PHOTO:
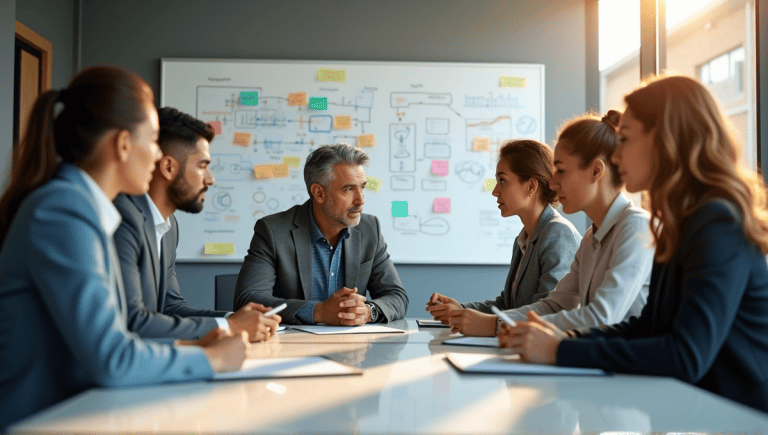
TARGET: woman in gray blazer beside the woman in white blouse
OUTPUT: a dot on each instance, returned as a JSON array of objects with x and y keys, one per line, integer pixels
[{"x": 543, "y": 250}]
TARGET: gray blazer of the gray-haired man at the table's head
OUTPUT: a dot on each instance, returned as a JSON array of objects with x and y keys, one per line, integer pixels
[{"x": 278, "y": 266}]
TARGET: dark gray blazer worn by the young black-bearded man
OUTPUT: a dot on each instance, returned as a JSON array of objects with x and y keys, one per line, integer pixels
[{"x": 156, "y": 308}]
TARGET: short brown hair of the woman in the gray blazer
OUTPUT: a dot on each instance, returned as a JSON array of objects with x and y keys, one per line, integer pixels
[{"x": 531, "y": 159}]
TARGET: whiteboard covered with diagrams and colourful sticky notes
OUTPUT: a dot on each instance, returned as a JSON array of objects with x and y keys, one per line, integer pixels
[{"x": 432, "y": 131}]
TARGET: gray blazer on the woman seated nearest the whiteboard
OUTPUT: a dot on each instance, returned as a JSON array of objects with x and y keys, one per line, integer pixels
[{"x": 552, "y": 247}]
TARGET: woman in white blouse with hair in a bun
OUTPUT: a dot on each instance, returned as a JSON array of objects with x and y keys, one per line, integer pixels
[{"x": 608, "y": 280}]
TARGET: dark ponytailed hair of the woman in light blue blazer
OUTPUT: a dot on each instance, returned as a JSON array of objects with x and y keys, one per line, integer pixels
[{"x": 98, "y": 99}]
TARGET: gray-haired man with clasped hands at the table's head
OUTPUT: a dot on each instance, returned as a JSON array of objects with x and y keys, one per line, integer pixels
[{"x": 323, "y": 257}]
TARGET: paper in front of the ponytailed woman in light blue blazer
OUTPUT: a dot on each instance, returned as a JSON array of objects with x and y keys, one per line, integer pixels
[{"x": 297, "y": 367}]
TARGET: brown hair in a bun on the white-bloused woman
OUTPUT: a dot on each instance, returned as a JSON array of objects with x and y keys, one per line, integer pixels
[{"x": 589, "y": 137}]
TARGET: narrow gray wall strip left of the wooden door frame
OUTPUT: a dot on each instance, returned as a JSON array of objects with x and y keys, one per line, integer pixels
[{"x": 7, "y": 37}]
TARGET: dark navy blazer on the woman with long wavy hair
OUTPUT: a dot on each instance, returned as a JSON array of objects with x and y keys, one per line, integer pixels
[{"x": 706, "y": 320}]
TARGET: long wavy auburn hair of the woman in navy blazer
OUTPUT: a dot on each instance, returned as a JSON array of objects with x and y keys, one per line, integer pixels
[{"x": 695, "y": 158}]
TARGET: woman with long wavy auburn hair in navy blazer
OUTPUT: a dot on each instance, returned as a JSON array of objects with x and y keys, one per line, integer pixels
[{"x": 705, "y": 321}]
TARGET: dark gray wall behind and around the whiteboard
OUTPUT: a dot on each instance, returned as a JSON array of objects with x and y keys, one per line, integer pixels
[{"x": 136, "y": 34}]
